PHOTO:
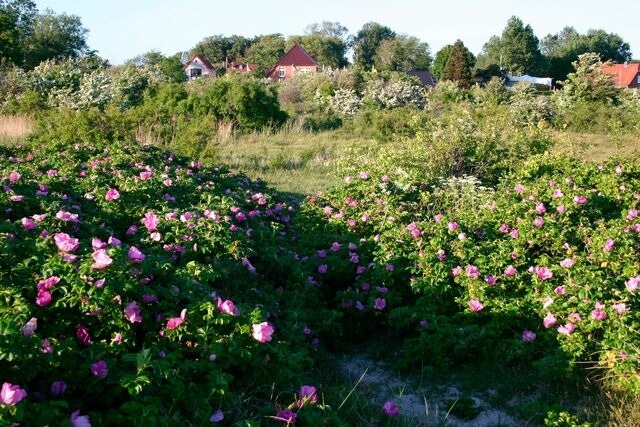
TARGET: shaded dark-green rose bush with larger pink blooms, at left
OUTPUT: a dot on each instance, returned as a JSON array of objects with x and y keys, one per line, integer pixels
[{"x": 141, "y": 288}]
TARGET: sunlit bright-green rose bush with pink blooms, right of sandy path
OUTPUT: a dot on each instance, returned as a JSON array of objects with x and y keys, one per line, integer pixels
[{"x": 540, "y": 269}]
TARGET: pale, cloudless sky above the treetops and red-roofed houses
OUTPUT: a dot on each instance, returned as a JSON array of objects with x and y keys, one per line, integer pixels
[{"x": 121, "y": 29}]
